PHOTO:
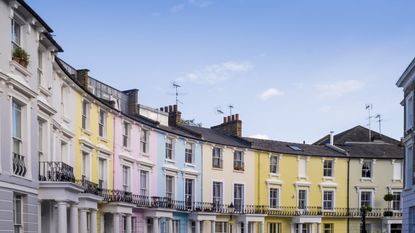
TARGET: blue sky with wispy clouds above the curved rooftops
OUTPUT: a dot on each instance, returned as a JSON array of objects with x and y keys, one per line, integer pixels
[{"x": 294, "y": 70}]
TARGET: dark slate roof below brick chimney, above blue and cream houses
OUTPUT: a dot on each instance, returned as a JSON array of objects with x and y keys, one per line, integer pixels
[{"x": 216, "y": 137}]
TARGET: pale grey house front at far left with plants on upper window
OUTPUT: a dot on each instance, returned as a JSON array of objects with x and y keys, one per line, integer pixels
[{"x": 21, "y": 29}]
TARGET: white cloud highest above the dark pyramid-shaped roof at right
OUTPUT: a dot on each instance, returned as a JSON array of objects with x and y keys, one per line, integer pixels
[{"x": 339, "y": 88}]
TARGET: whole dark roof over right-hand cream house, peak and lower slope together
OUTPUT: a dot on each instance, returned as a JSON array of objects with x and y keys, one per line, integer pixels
[{"x": 355, "y": 142}]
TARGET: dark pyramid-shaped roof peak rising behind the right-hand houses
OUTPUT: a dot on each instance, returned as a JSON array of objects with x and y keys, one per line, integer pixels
[{"x": 356, "y": 134}]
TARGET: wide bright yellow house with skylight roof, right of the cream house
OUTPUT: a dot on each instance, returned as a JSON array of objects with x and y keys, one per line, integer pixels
[{"x": 303, "y": 187}]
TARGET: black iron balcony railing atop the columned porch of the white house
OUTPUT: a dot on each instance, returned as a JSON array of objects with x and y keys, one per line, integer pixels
[{"x": 56, "y": 171}]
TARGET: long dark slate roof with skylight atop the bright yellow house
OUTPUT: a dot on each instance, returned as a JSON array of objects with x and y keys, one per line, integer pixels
[{"x": 291, "y": 148}]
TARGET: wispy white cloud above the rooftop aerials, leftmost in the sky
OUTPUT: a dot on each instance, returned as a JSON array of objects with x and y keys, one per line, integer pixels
[{"x": 216, "y": 73}]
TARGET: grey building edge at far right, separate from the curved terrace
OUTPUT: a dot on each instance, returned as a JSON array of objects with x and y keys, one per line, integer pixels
[{"x": 407, "y": 82}]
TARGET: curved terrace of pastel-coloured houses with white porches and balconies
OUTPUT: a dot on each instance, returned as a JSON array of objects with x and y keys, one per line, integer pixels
[{"x": 78, "y": 155}]
